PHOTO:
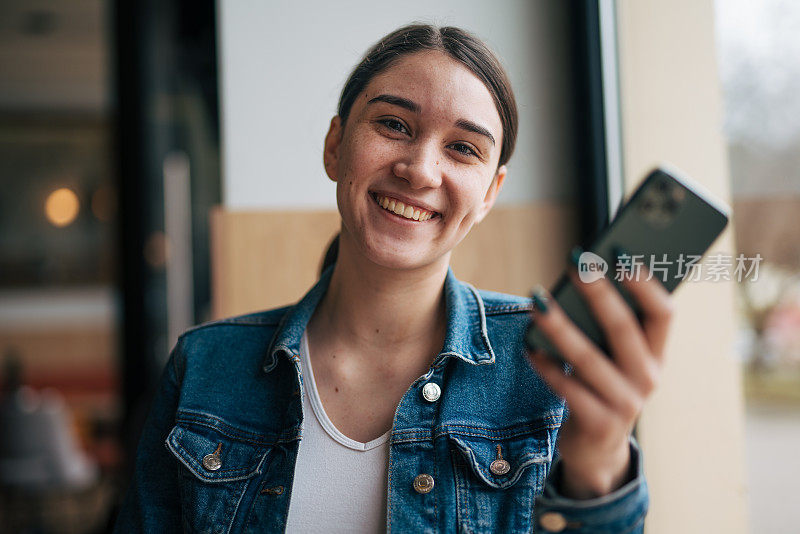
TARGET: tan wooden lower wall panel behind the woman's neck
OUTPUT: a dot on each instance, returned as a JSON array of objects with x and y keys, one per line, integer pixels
[{"x": 265, "y": 259}]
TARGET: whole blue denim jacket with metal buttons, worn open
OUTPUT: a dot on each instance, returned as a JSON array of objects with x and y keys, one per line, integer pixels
[{"x": 218, "y": 450}]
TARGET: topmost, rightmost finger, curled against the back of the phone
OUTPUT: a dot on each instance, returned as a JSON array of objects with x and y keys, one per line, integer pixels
[{"x": 656, "y": 304}]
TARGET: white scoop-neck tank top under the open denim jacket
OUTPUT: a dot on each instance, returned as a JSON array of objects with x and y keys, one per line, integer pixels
[{"x": 339, "y": 484}]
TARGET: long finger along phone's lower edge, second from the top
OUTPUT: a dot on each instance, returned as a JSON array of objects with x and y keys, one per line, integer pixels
[{"x": 625, "y": 336}]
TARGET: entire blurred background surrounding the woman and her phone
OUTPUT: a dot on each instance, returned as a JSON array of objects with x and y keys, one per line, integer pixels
[{"x": 153, "y": 154}]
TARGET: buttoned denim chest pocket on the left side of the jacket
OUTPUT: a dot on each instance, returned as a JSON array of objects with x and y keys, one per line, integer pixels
[{"x": 216, "y": 469}]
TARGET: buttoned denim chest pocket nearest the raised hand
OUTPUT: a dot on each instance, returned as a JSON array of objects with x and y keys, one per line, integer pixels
[{"x": 498, "y": 476}]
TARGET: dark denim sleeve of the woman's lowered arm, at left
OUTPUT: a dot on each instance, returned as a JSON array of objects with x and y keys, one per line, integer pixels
[{"x": 152, "y": 503}]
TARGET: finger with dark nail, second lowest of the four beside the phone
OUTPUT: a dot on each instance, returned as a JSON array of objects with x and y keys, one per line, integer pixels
[{"x": 589, "y": 363}]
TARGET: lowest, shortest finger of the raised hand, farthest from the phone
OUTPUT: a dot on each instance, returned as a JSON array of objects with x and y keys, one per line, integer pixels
[{"x": 584, "y": 406}]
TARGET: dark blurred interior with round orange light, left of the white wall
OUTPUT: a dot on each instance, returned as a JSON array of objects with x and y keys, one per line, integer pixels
[{"x": 109, "y": 144}]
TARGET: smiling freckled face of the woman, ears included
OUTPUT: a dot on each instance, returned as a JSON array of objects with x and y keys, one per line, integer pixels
[{"x": 424, "y": 139}]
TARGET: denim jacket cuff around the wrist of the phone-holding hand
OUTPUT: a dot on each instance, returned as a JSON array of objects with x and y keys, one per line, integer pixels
[{"x": 621, "y": 511}]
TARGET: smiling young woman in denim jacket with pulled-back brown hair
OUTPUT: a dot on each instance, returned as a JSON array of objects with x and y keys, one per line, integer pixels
[{"x": 393, "y": 396}]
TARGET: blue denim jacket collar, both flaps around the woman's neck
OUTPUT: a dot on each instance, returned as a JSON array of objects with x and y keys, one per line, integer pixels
[{"x": 466, "y": 339}]
